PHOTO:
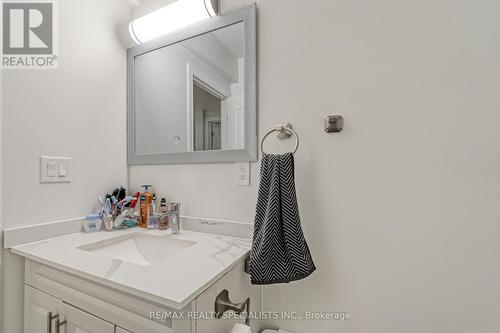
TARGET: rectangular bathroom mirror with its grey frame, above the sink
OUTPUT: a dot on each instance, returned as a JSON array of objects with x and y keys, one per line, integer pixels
[{"x": 192, "y": 93}]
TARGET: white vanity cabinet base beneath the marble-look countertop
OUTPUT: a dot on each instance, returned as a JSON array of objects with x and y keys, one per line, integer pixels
[{"x": 85, "y": 306}]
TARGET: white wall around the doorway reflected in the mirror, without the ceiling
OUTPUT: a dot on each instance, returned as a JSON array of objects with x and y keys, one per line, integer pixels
[{"x": 161, "y": 79}]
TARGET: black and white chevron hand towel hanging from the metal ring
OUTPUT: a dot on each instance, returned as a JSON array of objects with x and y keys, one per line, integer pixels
[{"x": 279, "y": 250}]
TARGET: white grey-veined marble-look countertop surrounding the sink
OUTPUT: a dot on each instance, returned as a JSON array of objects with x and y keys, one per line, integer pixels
[{"x": 173, "y": 281}]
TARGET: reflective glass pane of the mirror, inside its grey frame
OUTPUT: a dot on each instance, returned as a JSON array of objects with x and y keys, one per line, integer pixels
[{"x": 189, "y": 96}]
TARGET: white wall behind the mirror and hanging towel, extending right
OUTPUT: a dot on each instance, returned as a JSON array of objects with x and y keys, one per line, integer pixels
[{"x": 401, "y": 208}]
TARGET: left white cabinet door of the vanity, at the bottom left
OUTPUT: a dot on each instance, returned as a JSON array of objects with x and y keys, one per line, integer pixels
[{"x": 37, "y": 308}]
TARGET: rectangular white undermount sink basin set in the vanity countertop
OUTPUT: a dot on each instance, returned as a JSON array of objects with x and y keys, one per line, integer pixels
[{"x": 138, "y": 248}]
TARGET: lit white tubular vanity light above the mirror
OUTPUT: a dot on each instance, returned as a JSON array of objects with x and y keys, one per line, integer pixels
[{"x": 177, "y": 15}]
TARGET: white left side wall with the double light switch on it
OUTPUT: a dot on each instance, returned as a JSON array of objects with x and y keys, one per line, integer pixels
[{"x": 78, "y": 111}]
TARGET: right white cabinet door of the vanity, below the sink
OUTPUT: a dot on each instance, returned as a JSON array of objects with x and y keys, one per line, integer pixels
[{"x": 78, "y": 321}]
